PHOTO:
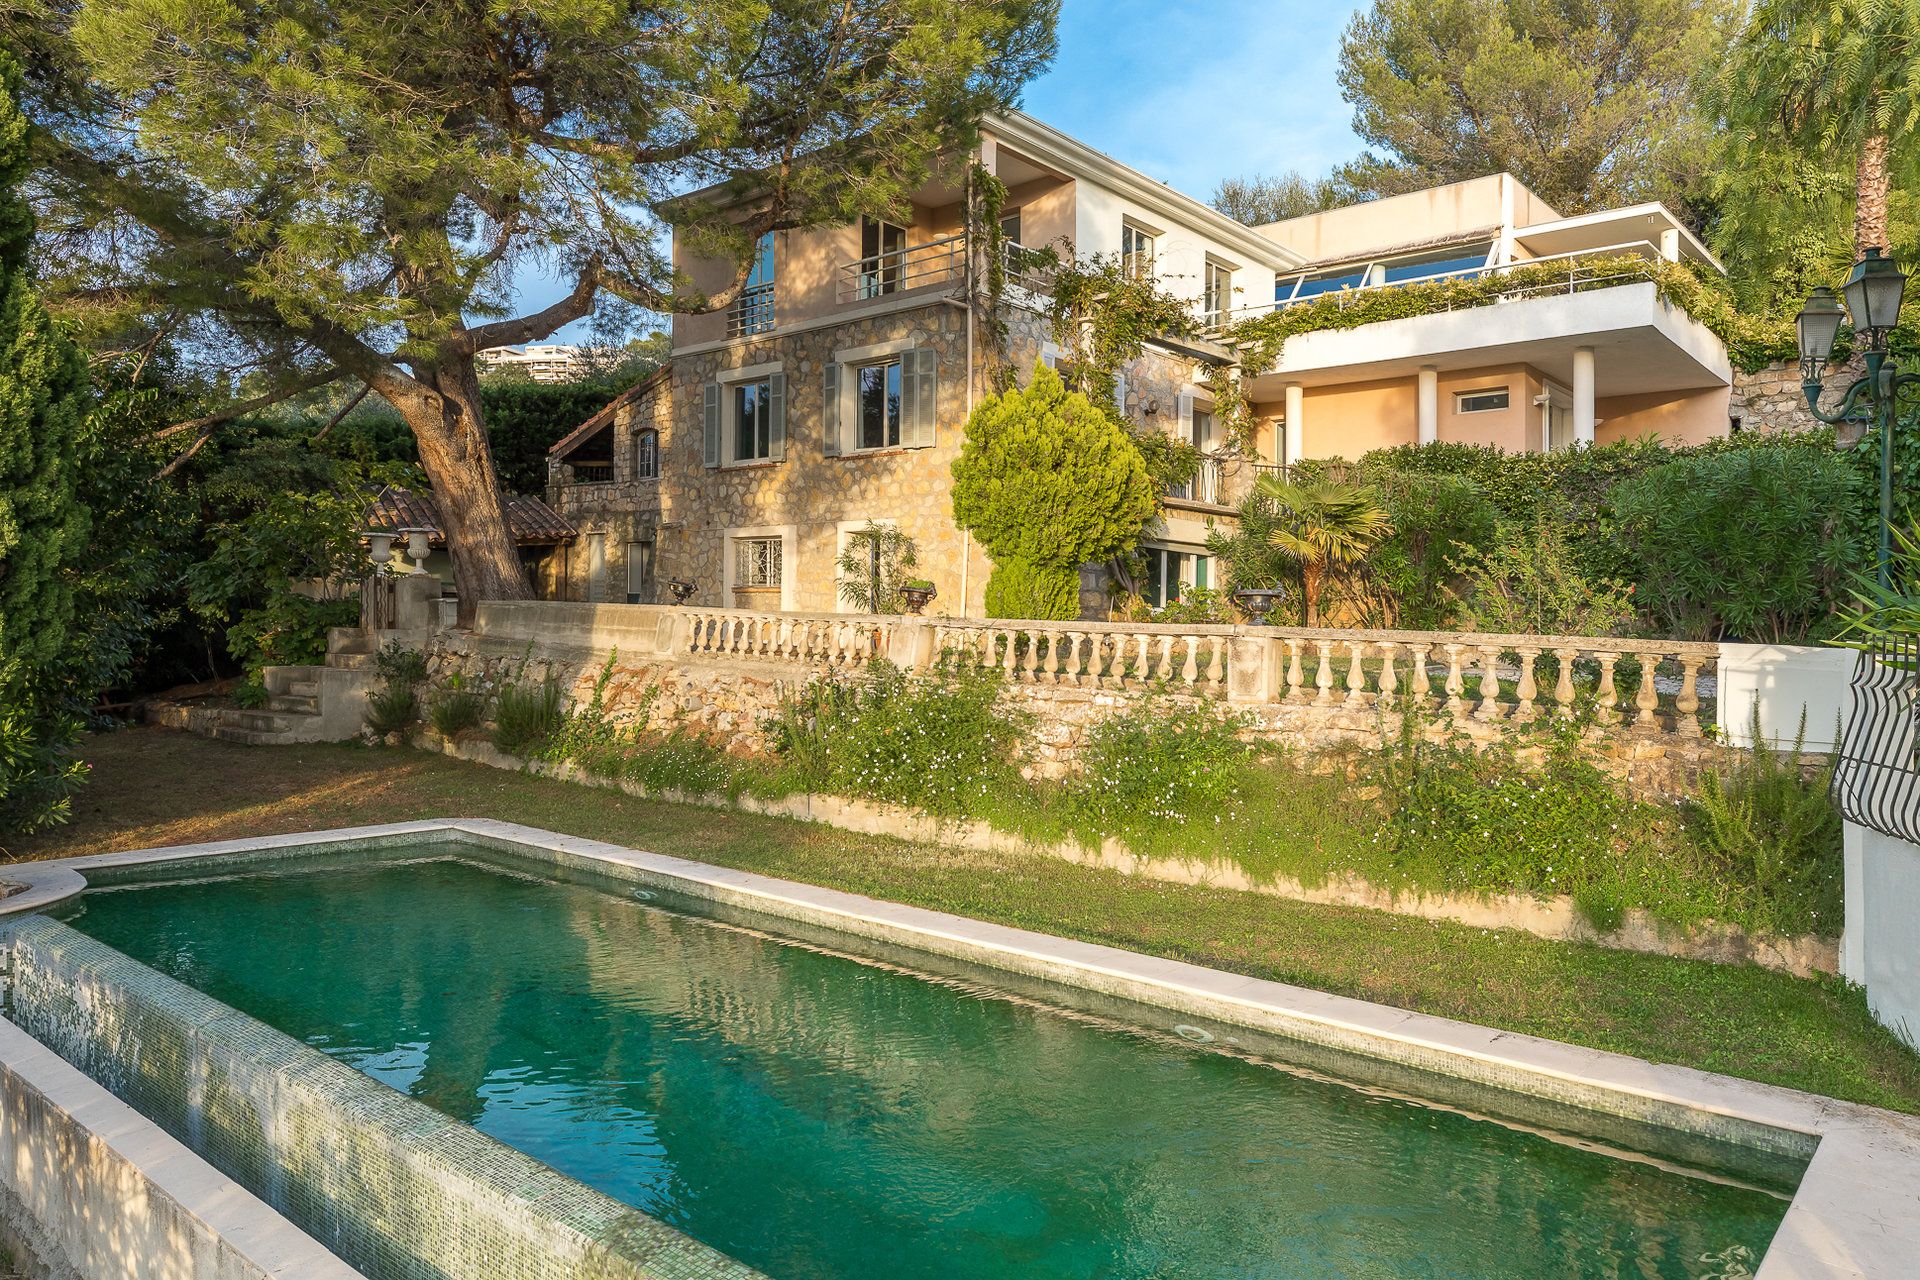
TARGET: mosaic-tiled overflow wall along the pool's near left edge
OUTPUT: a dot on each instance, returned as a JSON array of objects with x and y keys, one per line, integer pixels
[{"x": 389, "y": 1185}]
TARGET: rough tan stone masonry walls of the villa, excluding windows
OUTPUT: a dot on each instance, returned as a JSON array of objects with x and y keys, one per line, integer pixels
[{"x": 690, "y": 515}]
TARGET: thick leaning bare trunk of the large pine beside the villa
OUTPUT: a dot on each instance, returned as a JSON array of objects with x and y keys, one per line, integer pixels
[{"x": 473, "y": 511}]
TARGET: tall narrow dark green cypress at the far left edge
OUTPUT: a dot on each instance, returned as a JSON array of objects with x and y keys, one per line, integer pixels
[{"x": 43, "y": 525}]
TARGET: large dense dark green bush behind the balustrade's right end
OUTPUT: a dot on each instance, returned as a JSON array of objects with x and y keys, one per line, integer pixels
[{"x": 1752, "y": 544}]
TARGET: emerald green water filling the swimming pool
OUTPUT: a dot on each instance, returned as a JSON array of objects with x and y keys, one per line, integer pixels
[{"x": 828, "y": 1118}]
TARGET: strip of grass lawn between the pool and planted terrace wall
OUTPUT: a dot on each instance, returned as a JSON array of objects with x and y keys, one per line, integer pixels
[{"x": 162, "y": 788}]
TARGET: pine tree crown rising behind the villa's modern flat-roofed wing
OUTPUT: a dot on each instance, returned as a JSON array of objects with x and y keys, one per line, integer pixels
[{"x": 1589, "y": 103}]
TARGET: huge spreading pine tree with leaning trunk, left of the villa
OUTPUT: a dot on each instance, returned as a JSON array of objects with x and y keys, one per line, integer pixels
[{"x": 348, "y": 189}]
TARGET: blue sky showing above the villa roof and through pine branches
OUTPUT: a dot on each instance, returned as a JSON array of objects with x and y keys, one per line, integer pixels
[{"x": 1188, "y": 91}]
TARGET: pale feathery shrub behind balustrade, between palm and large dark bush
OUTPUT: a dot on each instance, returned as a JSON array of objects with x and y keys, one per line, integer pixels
[{"x": 1527, "y": 584}]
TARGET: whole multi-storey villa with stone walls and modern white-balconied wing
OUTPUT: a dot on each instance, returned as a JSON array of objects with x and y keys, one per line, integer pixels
[{"x": 836, "y": 389}]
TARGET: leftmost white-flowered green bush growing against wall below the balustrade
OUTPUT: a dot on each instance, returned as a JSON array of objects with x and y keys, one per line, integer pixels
[{"x": 942, "y": 744}]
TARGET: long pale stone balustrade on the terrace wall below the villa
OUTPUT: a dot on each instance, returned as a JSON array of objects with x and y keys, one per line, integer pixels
[{"x": 1466, "y": 675}]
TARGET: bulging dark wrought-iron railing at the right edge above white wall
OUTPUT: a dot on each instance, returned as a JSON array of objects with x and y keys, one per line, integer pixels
[{"x": 1877, "y": 776}]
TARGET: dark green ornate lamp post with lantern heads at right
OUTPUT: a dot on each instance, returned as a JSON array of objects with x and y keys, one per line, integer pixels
[{"x": 1873, "y": 296}]
